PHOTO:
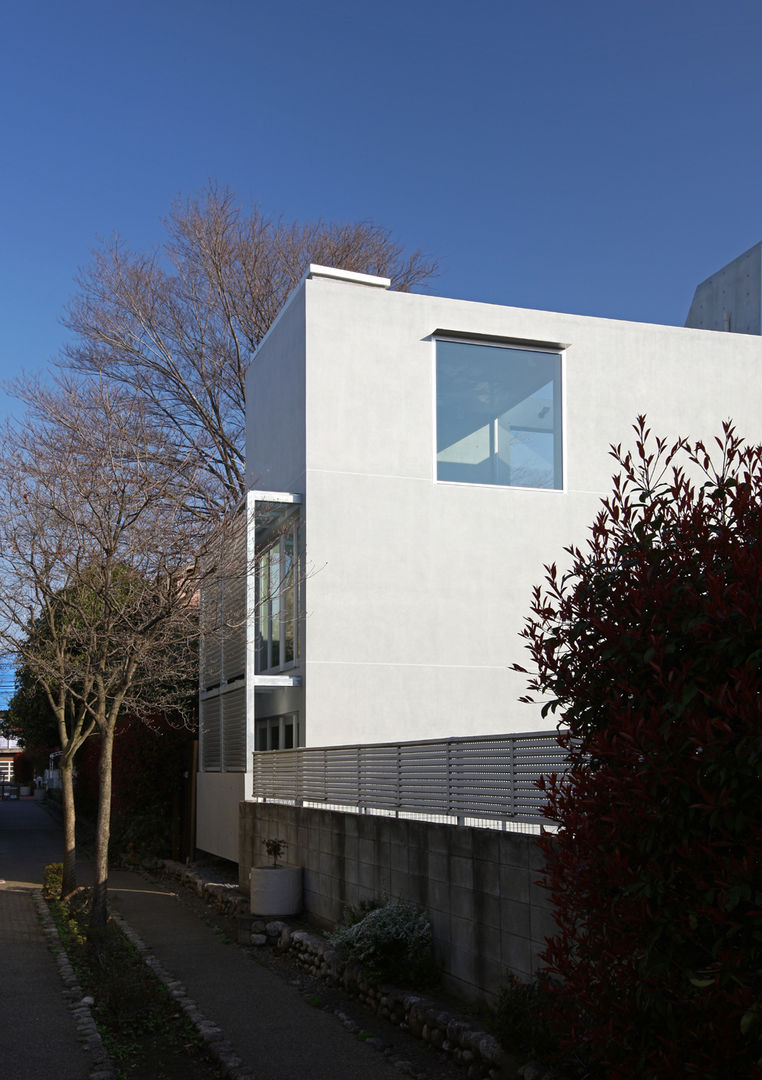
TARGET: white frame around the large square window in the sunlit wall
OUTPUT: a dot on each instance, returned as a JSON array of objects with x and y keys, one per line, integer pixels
[{"x": 521, "y": 345}]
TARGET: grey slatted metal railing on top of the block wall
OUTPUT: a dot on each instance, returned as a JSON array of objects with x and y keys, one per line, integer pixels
[{"x": 486, "y": 779}]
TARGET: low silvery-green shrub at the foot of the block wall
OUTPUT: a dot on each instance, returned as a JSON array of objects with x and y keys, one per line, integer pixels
[{"x": 393, "y": 942}]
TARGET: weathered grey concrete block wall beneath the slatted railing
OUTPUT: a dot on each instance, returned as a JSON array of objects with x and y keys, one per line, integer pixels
[{"x": 478, "y": 885}]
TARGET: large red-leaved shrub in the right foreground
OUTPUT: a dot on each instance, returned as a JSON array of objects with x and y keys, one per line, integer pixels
[{"x": 648, "y": 652}]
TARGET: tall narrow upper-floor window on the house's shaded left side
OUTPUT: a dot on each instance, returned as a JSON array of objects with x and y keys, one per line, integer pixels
[{"x": 278, "y": 603}]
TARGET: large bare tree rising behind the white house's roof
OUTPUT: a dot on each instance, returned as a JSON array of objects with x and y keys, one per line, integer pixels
[{"x": 180, "y": 326}]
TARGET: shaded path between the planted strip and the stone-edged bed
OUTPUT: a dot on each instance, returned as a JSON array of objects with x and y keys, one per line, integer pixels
[{"x": 271, "y": 1030}]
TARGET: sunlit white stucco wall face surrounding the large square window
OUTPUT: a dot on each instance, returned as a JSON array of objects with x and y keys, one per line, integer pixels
[{"x": 418, "y": 590}]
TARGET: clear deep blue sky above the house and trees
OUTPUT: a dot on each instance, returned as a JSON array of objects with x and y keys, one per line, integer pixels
[{"x": 586, "y": 156}]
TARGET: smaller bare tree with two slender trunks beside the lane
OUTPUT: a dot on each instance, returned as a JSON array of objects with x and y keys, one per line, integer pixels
[{"x": 99, "y": 579}]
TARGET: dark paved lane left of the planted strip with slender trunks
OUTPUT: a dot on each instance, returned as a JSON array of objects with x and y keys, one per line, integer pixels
[{"x": 39, "y": 1035}]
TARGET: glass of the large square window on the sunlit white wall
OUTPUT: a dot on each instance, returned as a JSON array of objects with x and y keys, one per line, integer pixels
[{"x": 498, "y": 415}]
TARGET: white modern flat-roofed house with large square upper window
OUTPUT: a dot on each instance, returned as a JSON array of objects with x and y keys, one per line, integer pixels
[{"x": 414, "y": 462}]
